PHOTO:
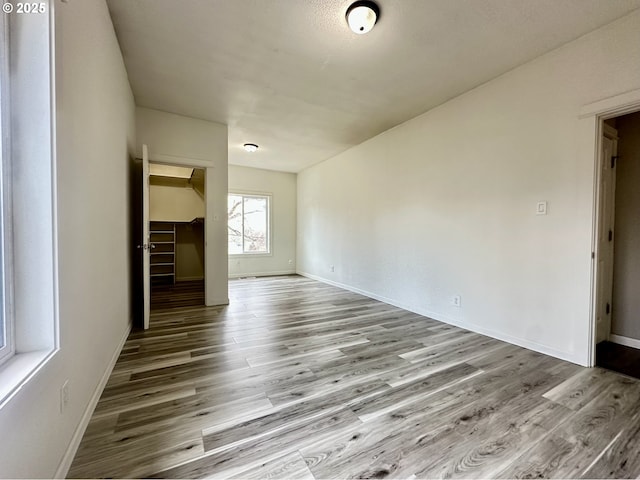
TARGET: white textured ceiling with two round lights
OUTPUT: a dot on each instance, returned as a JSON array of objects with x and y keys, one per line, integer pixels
[{"x": 290, "y": 76}]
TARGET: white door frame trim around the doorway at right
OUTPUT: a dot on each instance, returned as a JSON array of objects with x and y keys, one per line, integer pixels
[{"x": 592, "y": 117}]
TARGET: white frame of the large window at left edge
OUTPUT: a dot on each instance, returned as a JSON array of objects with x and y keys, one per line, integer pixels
[{"x": 29, "y": 195}]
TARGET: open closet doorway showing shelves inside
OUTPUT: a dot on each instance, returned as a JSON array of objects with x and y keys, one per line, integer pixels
[{"x": 176, "y": 212}]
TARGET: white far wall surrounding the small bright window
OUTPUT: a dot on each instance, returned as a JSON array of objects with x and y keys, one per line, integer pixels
[{"x": 282, "y": 188}]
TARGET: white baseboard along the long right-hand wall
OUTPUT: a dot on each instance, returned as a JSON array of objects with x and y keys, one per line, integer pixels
[{"x": 536, "y": 347}]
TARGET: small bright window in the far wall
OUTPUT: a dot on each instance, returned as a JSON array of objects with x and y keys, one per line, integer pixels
[{"x": 248, "y": 224}]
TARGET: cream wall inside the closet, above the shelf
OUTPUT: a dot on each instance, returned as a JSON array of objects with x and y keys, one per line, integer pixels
[{"x": 174, "y": 204}]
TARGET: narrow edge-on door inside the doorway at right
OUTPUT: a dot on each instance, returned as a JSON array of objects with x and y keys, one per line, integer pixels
[{"x": 606, "y": 237}]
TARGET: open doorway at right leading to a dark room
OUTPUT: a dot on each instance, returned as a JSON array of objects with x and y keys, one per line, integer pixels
[{"x": 618, "y": 247}]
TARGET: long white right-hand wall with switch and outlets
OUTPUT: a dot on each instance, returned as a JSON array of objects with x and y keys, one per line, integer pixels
[{"x": 445, "y": 204}]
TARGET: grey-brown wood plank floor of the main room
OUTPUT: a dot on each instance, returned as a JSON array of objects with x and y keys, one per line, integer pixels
[{"x": 297, "y": 379}]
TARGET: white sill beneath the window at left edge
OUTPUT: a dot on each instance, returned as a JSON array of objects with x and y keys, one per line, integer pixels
[{"x": 18, "y": 370}]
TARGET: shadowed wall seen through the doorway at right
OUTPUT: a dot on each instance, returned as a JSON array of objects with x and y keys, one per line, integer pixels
[{"x": 625, "y": 319}]
